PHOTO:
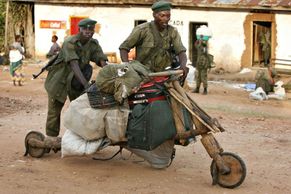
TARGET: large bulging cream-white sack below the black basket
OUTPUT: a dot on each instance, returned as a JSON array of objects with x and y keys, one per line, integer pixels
[{"x": 84, "y": 120}]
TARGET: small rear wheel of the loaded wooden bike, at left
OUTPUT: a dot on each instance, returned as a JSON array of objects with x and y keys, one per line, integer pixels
[{"x": 34, "y": 151}]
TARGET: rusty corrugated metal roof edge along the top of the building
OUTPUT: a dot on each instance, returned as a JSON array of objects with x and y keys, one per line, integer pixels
[{"x": 284, "y": 5}]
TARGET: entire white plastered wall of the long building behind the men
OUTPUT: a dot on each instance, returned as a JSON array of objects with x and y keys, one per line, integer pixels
[{"x": 227, "y": 44}]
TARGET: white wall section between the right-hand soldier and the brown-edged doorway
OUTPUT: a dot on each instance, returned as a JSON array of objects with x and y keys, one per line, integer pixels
[{"x": 227, "y": 44}]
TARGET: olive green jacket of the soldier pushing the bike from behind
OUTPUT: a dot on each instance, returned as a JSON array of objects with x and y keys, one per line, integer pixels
[{"x": 58, "y": 81}]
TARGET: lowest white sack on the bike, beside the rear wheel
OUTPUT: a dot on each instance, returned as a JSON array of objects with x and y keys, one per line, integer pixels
[{"x": 74, "y": 145}]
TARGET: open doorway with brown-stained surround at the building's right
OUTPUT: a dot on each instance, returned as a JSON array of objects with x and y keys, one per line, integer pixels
[{"x": 262, "y": 33}]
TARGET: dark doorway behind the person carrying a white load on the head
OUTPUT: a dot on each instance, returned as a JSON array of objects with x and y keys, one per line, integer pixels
[{"x": 193, "y": 26}]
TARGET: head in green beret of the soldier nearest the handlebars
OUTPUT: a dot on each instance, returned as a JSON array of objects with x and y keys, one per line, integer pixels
[{"x": 162, "y": 13}]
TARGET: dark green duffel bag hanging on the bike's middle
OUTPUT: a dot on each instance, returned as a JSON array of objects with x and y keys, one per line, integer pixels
[{"x": 150, "y": 125}]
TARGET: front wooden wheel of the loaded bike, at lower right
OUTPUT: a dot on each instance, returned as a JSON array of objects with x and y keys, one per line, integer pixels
[{"x": 237, "y": 172}]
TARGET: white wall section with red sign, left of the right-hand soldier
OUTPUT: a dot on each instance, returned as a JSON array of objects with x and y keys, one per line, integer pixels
[{"x": 116, "y": 24}]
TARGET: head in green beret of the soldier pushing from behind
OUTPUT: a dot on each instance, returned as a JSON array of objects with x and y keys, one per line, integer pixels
[{"x": 86, "y": 29}]
